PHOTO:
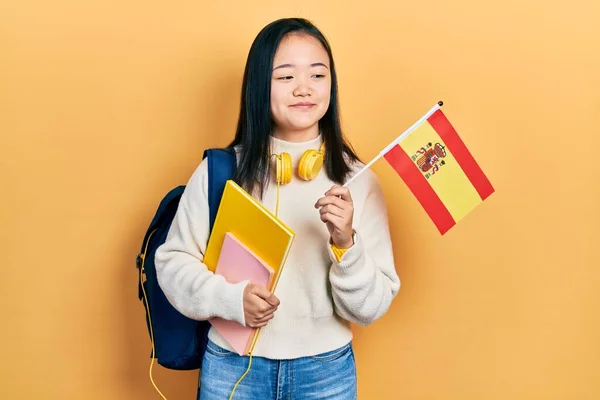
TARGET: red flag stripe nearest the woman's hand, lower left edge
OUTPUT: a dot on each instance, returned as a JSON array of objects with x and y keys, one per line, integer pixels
[{"x": 422, "y": 190}]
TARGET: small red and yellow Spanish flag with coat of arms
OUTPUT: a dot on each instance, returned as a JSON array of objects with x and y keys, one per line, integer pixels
[{"x": 438, "y": 168}]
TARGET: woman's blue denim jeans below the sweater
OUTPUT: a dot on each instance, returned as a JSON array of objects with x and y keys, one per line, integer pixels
[{"x": 330, "y": 376}]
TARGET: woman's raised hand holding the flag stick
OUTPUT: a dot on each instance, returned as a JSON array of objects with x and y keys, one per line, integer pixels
[{"x": 337, "y": 211}]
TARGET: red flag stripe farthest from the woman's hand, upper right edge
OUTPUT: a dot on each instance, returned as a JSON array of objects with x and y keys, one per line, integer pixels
[{"x": 446, "y": 131}]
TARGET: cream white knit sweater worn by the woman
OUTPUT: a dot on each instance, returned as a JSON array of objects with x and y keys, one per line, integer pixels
[{"x": 319, "y": 296}]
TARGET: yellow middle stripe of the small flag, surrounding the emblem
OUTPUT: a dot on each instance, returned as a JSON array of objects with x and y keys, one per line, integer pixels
[{"x": 450, "y": 182}]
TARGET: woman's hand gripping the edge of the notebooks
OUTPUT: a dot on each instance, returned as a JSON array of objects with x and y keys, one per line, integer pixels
[{"x": 259, "y": 305}]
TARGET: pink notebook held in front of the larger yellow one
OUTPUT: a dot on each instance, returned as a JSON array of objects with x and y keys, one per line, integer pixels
[{"x": 238, "y": 263}]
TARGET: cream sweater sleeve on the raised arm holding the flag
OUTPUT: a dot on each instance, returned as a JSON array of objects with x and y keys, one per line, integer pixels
[{"x": 364, "y": 282}]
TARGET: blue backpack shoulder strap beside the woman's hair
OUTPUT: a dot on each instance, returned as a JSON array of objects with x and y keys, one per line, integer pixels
[{"x": 222, "y": 165}]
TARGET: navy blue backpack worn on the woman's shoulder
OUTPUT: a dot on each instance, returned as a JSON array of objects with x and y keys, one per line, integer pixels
[{"x": 179, "y": 342}]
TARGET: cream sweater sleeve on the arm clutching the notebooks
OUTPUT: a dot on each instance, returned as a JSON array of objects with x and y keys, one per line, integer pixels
[{"x": 185, "y": 280}]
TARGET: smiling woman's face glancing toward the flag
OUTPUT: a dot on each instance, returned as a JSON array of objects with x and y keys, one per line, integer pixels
[{"x": 300, "y": 85}]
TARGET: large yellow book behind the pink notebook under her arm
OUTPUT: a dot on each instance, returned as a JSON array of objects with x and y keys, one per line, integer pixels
[{"x": 256, "y": 227}]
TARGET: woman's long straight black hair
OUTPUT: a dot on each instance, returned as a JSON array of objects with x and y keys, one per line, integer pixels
[{"x": 255, "y": 122}]
